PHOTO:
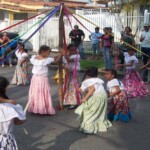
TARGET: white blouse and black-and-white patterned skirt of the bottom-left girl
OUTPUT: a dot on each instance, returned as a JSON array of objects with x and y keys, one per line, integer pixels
[{"x": 7, "y": 115}]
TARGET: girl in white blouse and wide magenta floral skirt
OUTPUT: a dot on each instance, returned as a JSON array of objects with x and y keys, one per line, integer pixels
[{"x": 134, "y": 86}]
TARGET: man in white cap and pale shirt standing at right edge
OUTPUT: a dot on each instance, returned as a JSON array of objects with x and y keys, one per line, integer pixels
[{"x": 145, "y": 43}]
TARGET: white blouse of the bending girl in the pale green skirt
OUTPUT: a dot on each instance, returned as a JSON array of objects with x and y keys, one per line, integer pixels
[{"x": 96, "y": 82}]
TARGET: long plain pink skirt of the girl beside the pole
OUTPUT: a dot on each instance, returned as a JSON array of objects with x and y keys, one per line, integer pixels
[{"x": 40, "y": 101}]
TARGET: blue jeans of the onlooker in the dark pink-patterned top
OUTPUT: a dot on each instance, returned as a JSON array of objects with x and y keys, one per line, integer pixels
[{"x": 107, "y": 57}]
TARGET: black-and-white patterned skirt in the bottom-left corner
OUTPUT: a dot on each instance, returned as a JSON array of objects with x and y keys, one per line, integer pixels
[{"x": 8, "y": 142}]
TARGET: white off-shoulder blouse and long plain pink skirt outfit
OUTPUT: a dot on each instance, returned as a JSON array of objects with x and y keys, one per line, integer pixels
[{"x": 40, "y": 101}]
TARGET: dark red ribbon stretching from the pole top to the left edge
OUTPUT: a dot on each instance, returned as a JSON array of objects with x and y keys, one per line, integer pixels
[{"x": 23, "y": 21}]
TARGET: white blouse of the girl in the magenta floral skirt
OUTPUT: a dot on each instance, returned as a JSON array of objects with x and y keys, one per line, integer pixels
[{"x": 128, "y": 60}]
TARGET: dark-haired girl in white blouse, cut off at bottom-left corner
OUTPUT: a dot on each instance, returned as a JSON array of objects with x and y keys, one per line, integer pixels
[{"x": 9, "y": 115}]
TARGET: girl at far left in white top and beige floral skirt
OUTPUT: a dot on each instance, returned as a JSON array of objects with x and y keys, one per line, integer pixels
[{"x": 21, "y": 76}]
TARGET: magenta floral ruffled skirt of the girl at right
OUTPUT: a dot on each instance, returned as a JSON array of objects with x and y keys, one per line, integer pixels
[{"x": 134, "y": 86}]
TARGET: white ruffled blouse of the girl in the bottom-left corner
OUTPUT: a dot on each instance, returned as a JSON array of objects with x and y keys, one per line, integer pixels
[{"x": 7, "y": 115}]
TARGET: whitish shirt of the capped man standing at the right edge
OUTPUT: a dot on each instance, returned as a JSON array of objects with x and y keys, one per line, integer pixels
[{"x": 146, "y": 41}]
